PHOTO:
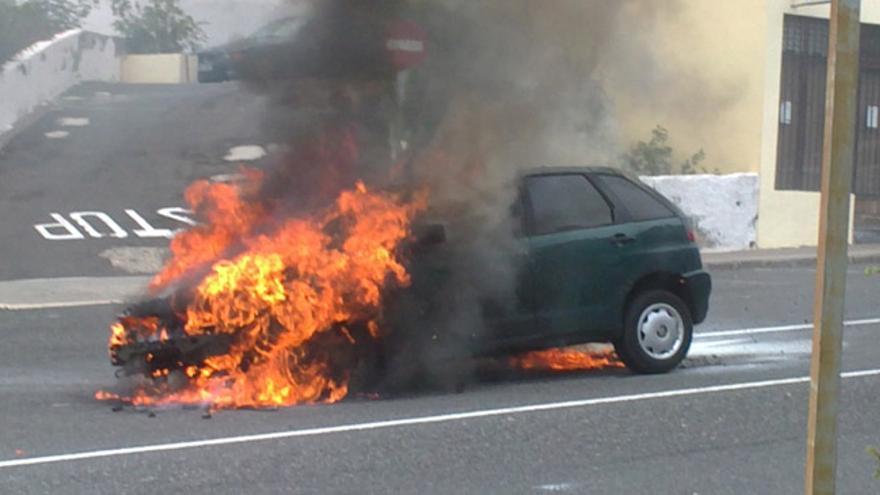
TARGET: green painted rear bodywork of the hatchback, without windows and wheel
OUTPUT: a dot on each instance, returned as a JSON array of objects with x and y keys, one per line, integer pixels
[{"x": 584, "y": 278}]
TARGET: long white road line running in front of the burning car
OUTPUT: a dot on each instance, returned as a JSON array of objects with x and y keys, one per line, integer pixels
[{"x": 420, "y": 420}]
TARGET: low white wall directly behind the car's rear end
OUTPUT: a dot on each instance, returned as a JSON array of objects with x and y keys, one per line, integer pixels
[{"x": 724, "y": 208}]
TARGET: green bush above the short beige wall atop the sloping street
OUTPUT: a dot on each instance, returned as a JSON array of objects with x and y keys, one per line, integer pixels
[{"x": 156, "y": 26}]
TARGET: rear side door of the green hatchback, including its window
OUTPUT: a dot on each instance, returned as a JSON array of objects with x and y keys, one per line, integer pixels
[{"x": 572, "y": 255}]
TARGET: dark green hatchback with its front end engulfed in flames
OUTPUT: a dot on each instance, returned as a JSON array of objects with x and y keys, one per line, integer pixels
[{"x": 256, "y": 313}]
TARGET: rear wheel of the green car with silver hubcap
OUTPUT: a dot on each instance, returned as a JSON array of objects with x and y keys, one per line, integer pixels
[{"x": 657, "y": 332}]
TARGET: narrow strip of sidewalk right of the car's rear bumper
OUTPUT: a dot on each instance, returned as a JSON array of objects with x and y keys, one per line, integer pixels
[{"x": 858, "y": 253}]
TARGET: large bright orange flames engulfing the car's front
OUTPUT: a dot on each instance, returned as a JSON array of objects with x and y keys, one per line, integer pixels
[{"x": 286, "y": 293}]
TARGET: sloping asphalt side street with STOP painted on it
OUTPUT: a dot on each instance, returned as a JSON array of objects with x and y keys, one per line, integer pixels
[{"x": 128, "y": 147}]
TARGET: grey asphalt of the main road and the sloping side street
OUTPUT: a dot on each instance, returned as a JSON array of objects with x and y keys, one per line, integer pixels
[{"x": 731, "y": 421}]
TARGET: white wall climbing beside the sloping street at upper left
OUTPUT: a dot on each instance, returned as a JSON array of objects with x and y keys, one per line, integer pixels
[{"x": 48, "y": 68}]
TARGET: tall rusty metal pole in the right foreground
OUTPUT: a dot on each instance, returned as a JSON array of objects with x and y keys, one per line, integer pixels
[{"x": 837, "y": 173}]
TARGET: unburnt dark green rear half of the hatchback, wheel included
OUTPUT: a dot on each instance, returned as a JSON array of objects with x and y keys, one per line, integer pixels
[{"x": 578, "y": 283}]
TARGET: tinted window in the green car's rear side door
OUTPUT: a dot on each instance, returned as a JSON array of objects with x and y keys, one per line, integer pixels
[{"x": 565, "y": 202}]
